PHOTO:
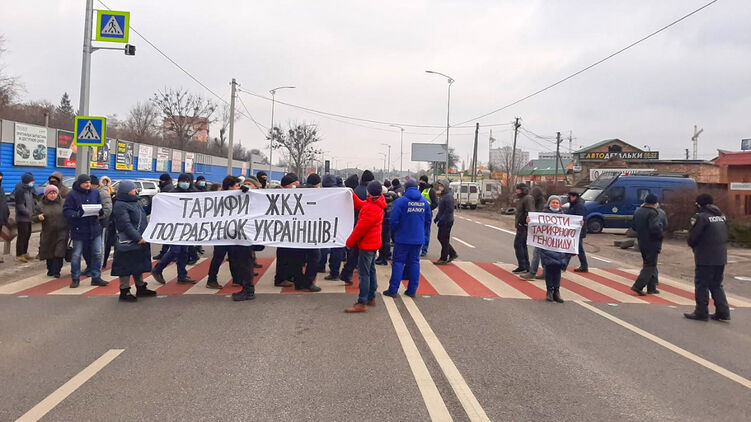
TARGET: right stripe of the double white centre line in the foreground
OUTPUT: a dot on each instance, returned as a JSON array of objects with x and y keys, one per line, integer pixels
[{"x": 468, "y": 400}]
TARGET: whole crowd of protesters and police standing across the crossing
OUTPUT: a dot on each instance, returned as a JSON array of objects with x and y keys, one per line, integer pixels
[{"x": 392, "y": 224}]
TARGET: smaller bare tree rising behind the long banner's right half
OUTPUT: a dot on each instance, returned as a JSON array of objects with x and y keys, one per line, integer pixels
[{"x": 298, "y": 142}]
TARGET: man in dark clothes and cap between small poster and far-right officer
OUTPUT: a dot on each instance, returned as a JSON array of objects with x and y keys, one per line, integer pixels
[{"x": 648, "y": 226}]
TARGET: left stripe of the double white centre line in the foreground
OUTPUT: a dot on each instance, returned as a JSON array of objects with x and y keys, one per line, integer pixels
[{"x": 430, "y": 394}]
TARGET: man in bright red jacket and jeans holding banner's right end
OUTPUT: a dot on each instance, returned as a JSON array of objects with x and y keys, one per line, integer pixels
[{"x": 366, "y": 236}]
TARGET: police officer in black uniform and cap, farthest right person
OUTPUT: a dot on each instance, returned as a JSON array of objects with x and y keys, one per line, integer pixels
[{"x": 708, "y": 238}]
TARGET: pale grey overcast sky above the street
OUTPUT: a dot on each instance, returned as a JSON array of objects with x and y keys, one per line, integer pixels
[{"x": 368, "y": 59}]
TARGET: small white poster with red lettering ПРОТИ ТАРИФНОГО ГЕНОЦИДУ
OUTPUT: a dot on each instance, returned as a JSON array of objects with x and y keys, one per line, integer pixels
[{"x": 555, "y": 232}]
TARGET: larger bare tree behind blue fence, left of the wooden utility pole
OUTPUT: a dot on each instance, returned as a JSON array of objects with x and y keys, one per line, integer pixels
[{"x": 184, "y": 114}]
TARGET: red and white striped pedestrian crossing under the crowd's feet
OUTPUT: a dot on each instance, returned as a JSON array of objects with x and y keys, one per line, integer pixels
[{"x": 460, "y": 278}]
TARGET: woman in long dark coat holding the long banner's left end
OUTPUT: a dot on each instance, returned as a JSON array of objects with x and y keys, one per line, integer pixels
[{"x": 132, "y": 256}]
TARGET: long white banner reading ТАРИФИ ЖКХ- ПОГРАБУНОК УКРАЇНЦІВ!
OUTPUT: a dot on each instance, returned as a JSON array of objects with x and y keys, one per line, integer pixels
[{"x": 291, "y": 218}]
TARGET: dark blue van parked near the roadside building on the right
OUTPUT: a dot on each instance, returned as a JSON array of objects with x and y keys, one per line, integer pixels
[{"x": 612, "y": 199}]
